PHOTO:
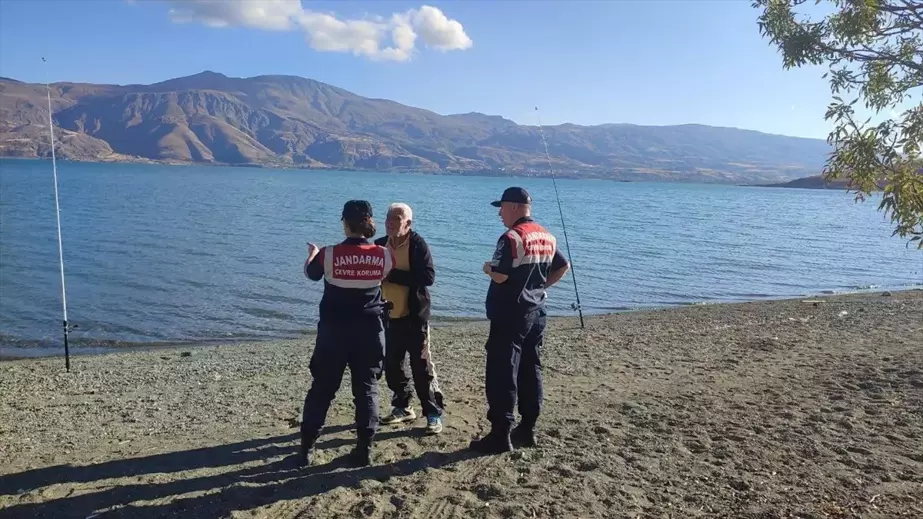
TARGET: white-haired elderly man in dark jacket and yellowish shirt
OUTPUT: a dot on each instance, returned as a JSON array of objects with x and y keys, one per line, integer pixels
[{"x": 406, "y": 287}]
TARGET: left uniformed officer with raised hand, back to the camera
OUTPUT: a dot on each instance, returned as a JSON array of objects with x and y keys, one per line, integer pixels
[{"x": 350, "y": 331}]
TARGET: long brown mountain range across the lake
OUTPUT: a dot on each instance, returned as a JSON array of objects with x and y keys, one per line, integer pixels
[{"x": 289, "y": 121}]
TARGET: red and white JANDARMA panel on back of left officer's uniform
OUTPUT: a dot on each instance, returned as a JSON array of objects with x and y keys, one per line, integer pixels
[{"x": 356, "y": 266}]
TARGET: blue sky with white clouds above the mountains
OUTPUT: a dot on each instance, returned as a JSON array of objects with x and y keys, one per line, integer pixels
[{"x": 653, "y": 62}]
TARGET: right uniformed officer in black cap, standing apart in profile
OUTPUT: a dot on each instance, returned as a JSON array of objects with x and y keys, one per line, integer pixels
[{"x": 526, "y": 262}]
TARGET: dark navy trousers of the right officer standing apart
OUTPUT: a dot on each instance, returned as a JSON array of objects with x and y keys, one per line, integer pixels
[{"x": 514, "y": 369}]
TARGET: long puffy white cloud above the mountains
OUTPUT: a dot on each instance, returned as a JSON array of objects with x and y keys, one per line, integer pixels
[{"x": 377, "y": 38}]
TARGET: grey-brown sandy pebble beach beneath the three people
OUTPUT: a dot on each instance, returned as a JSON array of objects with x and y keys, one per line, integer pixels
[{"x": 779, "y": 409}]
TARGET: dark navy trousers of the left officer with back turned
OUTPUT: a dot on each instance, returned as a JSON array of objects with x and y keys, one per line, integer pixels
[{"x": 359, "y": 344}]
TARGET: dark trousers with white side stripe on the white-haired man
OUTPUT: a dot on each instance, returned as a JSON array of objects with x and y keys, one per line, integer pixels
[{"x": 409, "y": 337}]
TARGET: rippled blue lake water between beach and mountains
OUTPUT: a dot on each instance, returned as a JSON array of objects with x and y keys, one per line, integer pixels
[{"x": 198, "y": 253}]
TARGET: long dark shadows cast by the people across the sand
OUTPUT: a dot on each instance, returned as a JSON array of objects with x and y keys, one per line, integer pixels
[{"x": 241, "y": 489}]
